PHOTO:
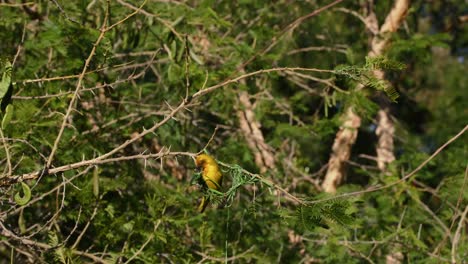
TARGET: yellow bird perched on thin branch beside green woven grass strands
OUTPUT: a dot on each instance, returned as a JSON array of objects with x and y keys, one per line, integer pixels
[{"x": 211, "y": 175}]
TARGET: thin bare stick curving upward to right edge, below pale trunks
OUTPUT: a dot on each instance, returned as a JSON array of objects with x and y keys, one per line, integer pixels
[{"x": 378, "y": 188}]
